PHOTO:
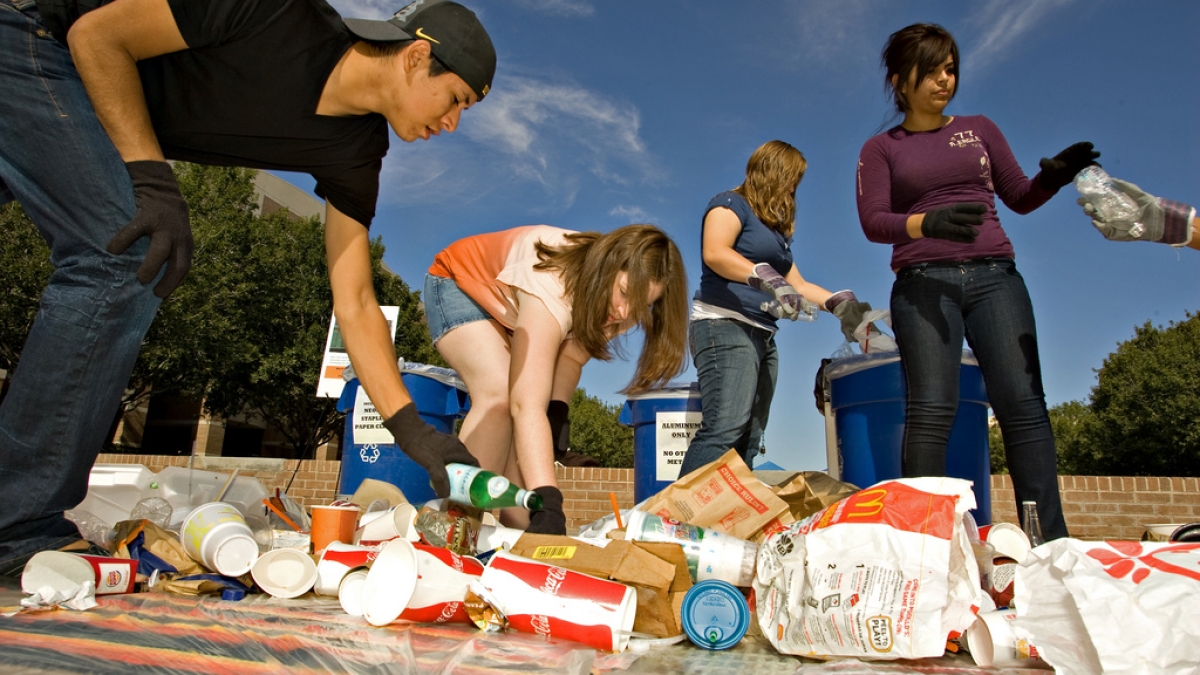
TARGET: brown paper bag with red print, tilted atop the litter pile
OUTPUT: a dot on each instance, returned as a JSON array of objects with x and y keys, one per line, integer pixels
[{"x": 725, "y": 497}]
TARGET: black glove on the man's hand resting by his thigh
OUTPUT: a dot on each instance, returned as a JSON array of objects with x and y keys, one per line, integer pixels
[{"x": 163, "y": 217}]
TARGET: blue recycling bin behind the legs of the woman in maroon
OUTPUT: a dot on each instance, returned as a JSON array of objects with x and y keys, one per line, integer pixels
[{"x": 868, "y": 396}]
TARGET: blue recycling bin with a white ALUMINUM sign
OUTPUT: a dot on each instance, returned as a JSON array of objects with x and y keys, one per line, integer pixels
[{"x": 664, "y": 423}]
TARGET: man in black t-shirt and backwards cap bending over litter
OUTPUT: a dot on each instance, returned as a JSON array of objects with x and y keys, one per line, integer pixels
[{"x": 278, "y": 85}]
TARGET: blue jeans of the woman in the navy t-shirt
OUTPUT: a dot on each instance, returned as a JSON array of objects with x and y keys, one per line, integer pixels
[{"x": 737, "y": 367}]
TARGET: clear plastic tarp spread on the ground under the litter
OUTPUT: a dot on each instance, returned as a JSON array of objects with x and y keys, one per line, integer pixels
[{"x": 169, "y": 635}]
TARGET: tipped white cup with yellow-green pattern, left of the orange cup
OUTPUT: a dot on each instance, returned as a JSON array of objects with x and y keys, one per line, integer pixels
[{"x": 217, "y": 536}]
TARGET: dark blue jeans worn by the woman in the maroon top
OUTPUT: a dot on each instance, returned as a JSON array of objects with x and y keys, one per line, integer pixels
[{"x": 933, "y": 308}]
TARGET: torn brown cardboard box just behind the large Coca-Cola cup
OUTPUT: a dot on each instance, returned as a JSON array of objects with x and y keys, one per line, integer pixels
[{"x": 657, "y": 572}]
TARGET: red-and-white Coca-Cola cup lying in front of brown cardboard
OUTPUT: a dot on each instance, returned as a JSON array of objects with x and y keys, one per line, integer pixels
[{"x": 560, "y": 604}]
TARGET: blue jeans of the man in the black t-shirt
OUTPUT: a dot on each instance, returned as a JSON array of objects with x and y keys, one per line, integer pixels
[{"x": 57, "y": 160}]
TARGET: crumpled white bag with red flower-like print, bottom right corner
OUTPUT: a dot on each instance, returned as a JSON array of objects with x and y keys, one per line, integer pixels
[{"x": 1112, "y": 607}]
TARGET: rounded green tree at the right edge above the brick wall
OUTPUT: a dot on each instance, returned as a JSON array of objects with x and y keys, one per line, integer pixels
[{"x": 1147, "y": 403}]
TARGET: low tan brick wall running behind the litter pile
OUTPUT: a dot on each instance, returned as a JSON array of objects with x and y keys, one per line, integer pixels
[{"x": 1097, "y": 507}]
